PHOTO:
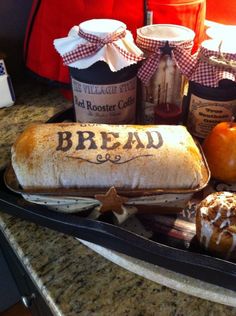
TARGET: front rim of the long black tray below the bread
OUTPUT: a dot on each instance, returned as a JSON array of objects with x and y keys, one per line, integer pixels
[{"x": 194, "y": 264}]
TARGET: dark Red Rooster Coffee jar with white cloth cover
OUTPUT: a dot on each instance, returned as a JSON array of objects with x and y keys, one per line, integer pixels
[{"x": 103, "y": 62}]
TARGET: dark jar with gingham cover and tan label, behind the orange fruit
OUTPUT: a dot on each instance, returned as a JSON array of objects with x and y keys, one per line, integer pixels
[{"x": 211, "y": 96}]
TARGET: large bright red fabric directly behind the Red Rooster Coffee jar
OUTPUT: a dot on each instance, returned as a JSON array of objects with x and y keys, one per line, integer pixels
[{"x": 54, "y": 18}]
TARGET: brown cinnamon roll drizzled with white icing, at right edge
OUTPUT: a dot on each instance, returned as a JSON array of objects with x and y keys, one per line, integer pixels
[{"x": 216, "y": 224}]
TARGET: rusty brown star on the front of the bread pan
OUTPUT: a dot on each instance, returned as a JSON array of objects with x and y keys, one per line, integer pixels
[{"x": 111, "y": 201}]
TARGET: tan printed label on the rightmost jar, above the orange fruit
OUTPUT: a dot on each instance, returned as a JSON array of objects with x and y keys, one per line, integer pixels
[{"x": 205, "y": 114}]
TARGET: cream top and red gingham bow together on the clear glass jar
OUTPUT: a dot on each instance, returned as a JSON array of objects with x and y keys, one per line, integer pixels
[{"x": 164, "y": 39}]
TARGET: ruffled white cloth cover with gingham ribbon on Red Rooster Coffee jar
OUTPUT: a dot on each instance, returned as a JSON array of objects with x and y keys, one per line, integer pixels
[{"x": 96, "y": 40}]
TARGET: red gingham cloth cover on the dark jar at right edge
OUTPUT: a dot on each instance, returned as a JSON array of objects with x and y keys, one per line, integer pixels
[{"x": 208, "y": 73}]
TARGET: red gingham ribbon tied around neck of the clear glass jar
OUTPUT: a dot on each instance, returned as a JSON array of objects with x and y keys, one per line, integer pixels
[{"x": 180, "y": 53}]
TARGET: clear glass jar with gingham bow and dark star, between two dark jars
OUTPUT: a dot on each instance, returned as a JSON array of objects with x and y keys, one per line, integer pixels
[{"x": 167, "y": 49}]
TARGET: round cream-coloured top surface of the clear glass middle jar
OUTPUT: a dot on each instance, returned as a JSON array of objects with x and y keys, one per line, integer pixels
[{"x": 166, "y": 32}]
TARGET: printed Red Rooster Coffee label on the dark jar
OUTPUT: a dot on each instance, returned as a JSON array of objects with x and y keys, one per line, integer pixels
[{"x": 111, "y": 104}]
